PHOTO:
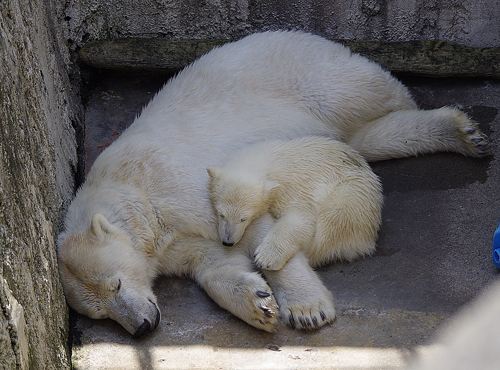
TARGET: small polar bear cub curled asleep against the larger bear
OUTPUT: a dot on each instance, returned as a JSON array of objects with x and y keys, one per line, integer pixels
[{"x": 323, "y": 195}]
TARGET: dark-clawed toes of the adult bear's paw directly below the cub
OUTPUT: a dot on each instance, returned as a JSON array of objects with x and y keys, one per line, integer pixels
[{"x": 308, "y": 313}]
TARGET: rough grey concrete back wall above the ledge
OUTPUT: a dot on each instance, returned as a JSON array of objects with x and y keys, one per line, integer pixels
[{"x": 471, "y": 22}]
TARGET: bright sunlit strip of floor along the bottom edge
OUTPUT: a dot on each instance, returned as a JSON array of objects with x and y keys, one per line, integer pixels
[{"x": 272, "y": 357}]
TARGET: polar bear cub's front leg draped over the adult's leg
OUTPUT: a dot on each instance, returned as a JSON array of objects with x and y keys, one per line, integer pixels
[{"x": 289, "y": 234}]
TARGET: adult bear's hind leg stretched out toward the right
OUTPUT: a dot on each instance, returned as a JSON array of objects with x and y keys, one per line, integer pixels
[{"x": 404, "y": 133}]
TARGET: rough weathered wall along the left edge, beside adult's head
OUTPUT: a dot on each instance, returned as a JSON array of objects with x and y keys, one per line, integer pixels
[{"x": 39, "y": 113}]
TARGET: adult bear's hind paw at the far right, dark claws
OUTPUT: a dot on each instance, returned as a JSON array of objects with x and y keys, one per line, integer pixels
[{"x": 475, "y": 143}]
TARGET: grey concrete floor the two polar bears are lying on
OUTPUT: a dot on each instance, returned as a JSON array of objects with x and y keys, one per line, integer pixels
[{"x": 434, "y": 256}]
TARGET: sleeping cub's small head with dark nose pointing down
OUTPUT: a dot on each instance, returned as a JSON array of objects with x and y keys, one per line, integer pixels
[{"x": 237, "y": 202}]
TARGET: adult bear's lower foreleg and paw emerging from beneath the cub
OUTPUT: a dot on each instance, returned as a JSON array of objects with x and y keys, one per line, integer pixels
[{"x": 304, "y": 301}]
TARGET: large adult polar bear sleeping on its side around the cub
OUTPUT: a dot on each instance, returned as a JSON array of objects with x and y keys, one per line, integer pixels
[{"x": 145, "y": 210}]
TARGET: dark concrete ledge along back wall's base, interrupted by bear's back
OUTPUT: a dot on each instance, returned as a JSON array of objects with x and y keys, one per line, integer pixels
[{"x": 422, "y": 58}]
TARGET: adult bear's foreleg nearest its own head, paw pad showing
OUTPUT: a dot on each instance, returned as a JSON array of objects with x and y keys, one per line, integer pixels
[{"x": 229, "y": 278}]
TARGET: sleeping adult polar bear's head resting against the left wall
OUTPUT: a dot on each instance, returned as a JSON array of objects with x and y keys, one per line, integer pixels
[{"x": 103, "y": 276}]
